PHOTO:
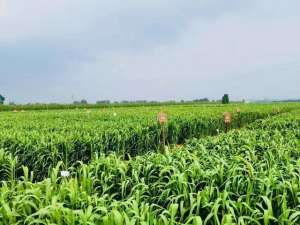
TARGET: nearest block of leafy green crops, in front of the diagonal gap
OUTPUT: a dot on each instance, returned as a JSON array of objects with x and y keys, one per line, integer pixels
[{"x": 247, "y": 176}]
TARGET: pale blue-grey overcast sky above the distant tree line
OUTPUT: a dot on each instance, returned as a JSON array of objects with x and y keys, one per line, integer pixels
[{"x": 149, "y": 49}]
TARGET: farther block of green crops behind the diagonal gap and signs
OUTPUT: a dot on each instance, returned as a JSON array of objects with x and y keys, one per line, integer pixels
[{"x": 40, "y": 139}]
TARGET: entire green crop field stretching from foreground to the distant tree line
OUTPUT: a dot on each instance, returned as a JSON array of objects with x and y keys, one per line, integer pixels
[{"x": 118, "y": 165}]
